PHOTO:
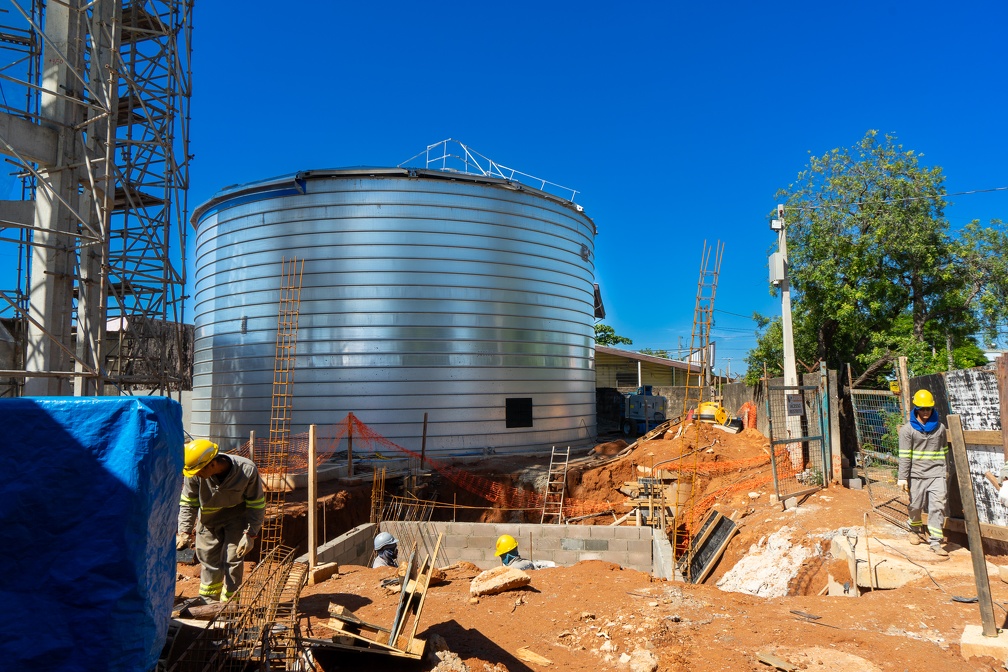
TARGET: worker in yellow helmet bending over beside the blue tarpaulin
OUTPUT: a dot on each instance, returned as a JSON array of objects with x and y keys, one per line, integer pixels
[{"x": 223, "y": 498}]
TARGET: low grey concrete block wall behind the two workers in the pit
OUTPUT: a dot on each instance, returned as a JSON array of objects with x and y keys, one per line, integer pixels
[{"x": 639, "y": 549}]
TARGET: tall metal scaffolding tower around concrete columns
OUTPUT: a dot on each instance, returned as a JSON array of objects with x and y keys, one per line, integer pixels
[{"x": 94, "y": 122}]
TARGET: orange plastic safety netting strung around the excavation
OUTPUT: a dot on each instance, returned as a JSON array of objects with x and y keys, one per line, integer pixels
[{"x": 368, "y": 444}]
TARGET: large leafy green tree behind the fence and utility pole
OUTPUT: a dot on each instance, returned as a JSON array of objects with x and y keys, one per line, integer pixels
[{"x": 876, "y": 272}]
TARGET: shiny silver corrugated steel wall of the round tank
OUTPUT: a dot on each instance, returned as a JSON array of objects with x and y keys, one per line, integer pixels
[{"x": 422, "y": 293}]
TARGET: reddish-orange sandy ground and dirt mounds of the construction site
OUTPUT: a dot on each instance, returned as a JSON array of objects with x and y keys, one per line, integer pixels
[{"x": 596, "y": 616}]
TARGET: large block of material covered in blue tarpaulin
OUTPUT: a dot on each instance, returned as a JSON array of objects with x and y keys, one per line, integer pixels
[{"x": 89, "y": 501}]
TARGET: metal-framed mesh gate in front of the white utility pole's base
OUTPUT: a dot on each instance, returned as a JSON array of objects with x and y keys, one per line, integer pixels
[{"x": 800, "y": 455}]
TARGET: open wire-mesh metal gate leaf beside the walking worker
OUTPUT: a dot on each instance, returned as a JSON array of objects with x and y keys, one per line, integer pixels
[{"x": 877, "y": 417}]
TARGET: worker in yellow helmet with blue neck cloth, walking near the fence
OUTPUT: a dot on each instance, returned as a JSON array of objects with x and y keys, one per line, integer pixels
[{"x": 924, "y": 455}]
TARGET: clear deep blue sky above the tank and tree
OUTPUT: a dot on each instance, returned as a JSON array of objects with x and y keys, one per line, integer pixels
[{"x": 676, "y": 122}]
